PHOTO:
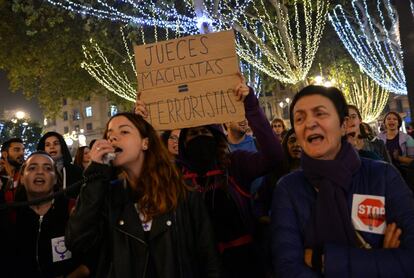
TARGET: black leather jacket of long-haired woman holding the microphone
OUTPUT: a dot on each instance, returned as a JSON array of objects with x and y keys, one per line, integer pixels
[{"x": 105, "y": 222}]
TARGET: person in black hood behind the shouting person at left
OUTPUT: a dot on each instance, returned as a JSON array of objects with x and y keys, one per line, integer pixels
[{"x": 54, "y": 144}]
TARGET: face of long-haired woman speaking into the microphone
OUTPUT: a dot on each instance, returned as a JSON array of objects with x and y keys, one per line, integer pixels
[{"x": 127, "y": 141}]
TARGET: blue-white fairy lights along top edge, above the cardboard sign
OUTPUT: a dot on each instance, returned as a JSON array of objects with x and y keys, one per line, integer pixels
[{"x": 218, "y": 13}]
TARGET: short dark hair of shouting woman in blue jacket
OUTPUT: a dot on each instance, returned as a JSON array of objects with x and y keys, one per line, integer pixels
[{"x": 331, "y": 93}]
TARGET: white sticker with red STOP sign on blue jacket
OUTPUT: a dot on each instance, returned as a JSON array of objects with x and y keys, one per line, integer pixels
[{"x": 368, "y": 213}]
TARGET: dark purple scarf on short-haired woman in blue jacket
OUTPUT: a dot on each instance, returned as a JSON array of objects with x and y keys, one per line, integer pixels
[{"x": 330, "y": 221}]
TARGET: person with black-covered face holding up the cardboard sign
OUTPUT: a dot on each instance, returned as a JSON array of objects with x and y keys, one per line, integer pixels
[{"x": 224, "y": 179}]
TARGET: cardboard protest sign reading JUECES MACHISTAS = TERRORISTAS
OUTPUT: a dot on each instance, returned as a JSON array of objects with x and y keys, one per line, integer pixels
[{"x": 190, "y": 81}]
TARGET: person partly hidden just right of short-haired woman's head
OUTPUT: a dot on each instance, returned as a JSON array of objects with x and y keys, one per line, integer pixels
[{"x": 364, "y": 143}]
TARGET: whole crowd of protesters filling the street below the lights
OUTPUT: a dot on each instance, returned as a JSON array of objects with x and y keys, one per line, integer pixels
[{"x": 327, "y": 197}]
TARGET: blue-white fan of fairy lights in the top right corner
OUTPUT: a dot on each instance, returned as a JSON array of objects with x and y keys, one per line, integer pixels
[{"x": 376, "y": 49}]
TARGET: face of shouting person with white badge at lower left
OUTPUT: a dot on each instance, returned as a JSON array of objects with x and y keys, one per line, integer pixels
[{"x": 39, "y": 175}]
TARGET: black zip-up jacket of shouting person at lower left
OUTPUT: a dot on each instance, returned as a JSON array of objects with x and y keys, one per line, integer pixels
[{"x": 32, "y": 247}]
